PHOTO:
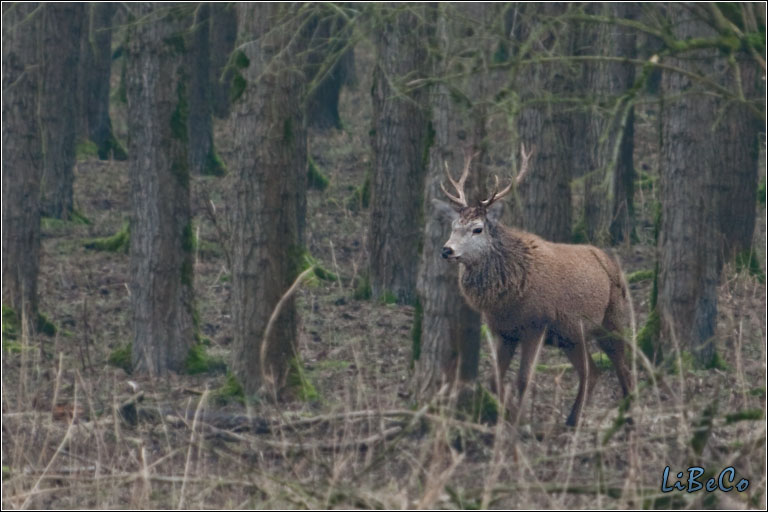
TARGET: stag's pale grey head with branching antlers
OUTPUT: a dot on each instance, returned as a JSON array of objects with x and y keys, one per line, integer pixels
[{"x": 473, "y": 228}]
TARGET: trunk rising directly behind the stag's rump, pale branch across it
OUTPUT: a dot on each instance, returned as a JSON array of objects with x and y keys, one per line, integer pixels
[{"x": 605, "y": 134}]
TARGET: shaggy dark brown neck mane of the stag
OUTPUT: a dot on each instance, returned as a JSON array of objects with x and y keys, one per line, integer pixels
[{"x": 501, "y": 272}]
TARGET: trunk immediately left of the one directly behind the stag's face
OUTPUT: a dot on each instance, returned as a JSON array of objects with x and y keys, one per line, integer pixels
[{"x": 400, "y": 140}]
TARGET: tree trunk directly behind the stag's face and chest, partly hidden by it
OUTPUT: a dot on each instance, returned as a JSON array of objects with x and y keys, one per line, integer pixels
[{"x": 447, "y": 335}]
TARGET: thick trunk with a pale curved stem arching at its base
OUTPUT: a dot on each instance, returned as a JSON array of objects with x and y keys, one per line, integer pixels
[{"x": 270, "y": 168}]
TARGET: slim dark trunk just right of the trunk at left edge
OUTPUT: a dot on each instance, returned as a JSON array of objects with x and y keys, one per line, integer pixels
[{"x": 62, "y": 25}]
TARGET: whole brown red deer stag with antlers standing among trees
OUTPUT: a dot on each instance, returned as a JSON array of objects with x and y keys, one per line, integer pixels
[{"x": 531, "y": 290}]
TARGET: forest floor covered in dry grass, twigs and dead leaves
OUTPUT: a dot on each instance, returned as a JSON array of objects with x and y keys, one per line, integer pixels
[{"x": 79, "y": 432}]
